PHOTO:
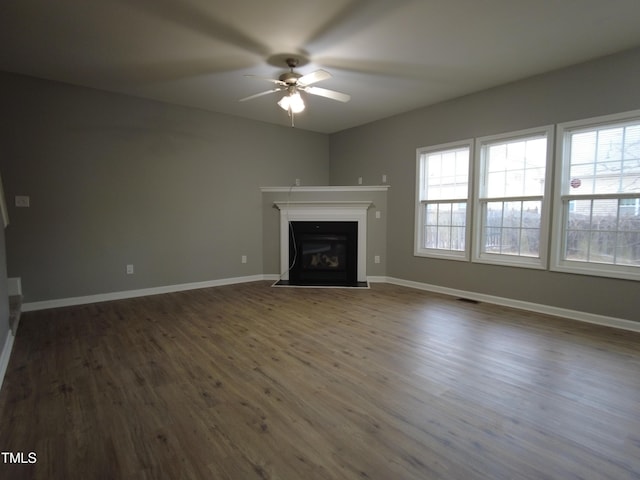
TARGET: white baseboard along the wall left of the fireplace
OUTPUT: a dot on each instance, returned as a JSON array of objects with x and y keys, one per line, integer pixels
[{"x": 106, "y": 297}]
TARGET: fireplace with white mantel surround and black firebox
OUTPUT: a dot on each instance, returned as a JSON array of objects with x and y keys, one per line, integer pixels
[{"x": 323, "y": 243}]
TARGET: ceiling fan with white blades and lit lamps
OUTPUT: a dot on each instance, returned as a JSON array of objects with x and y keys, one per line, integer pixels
[{"x": 293, "y": 83}]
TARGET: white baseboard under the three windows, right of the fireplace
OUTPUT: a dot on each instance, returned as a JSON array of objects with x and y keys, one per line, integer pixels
[{"x": 532, "y": 307}]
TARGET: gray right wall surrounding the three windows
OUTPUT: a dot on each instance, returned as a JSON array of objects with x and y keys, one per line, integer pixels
[{"x": 388, "y": 147}]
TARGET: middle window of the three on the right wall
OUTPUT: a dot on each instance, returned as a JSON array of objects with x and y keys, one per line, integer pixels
[{"x": 511, "y": 207}]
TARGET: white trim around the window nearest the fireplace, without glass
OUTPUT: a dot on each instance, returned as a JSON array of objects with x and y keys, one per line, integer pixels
[{"x": 419, "y": 251}]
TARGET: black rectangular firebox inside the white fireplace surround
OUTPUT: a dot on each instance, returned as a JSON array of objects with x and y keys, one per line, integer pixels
[{"x": 323, "y": 253}]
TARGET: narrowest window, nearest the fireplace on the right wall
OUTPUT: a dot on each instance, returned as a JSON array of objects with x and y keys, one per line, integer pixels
[{"x": 442, "y": 212}]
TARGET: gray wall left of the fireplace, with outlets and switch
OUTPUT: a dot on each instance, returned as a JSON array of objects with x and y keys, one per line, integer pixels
[{"x": 115, "y": 180}]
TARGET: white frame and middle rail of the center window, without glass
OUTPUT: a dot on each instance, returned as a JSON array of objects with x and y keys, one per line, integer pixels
[{"x": 480, "y": 200}]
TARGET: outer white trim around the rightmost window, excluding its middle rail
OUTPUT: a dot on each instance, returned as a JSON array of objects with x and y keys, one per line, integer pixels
[{"x": 557, "y": 263}]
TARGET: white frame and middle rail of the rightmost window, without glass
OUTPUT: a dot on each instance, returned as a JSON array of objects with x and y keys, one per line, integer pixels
[{"x": 561, "y": 199}]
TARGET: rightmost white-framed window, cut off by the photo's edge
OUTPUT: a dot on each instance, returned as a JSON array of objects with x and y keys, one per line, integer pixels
[{"x": 598, "y": 197}]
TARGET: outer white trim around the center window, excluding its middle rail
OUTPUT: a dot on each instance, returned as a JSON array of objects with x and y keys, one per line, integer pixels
[{"x": 478, "y": 256}]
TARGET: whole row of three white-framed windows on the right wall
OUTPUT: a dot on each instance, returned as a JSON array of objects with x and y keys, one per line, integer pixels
[{"x": 596, "y": 201}]
